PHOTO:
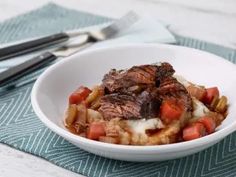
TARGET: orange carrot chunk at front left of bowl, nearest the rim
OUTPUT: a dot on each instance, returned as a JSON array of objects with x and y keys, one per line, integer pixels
[{"x": 95, "y": 130}]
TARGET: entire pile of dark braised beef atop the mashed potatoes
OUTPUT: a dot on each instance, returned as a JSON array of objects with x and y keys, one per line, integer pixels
[{"x": 139, "y": 91}]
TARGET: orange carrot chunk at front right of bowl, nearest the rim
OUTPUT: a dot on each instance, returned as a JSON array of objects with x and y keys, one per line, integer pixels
[{"x": 193, "y": 131}]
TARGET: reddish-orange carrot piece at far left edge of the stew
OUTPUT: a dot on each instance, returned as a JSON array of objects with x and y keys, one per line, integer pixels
[{"x": 79, "y": 95}]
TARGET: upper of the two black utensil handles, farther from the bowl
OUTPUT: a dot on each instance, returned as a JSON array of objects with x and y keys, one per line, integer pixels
[{"x": 32, "y": 45}]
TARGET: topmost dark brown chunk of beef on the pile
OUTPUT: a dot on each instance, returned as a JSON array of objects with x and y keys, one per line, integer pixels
[{"x": 144, "y": 75}]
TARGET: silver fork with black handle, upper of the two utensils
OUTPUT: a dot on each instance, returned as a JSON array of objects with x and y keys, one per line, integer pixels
[{"x": 40, "y": 43}]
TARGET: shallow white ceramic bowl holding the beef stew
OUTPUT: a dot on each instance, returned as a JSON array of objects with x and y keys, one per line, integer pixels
[{"x": 50, "y": 93}]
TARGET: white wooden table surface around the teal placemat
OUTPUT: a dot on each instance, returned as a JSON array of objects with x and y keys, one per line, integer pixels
[{"x": 209, "y": 20}]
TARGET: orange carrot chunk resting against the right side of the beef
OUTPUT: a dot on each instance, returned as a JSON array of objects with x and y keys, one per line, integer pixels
[{"x": 170, "y": 110}]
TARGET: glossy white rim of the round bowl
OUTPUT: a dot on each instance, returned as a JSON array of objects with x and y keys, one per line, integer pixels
[{"x": 215, "y": 137}]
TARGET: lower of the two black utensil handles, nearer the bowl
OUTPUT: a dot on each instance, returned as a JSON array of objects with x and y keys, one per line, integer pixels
[{"x": 24, "y": 68}]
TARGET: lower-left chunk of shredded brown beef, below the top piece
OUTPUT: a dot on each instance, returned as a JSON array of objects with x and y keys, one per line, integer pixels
[{"x": 126, "y": 106}]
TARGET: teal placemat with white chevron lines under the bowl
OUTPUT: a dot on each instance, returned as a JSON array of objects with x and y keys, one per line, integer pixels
[{"x": 21, "y": 129}]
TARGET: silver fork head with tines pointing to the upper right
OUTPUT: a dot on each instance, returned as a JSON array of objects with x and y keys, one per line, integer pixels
[{"x": 124, "y": 22}]
